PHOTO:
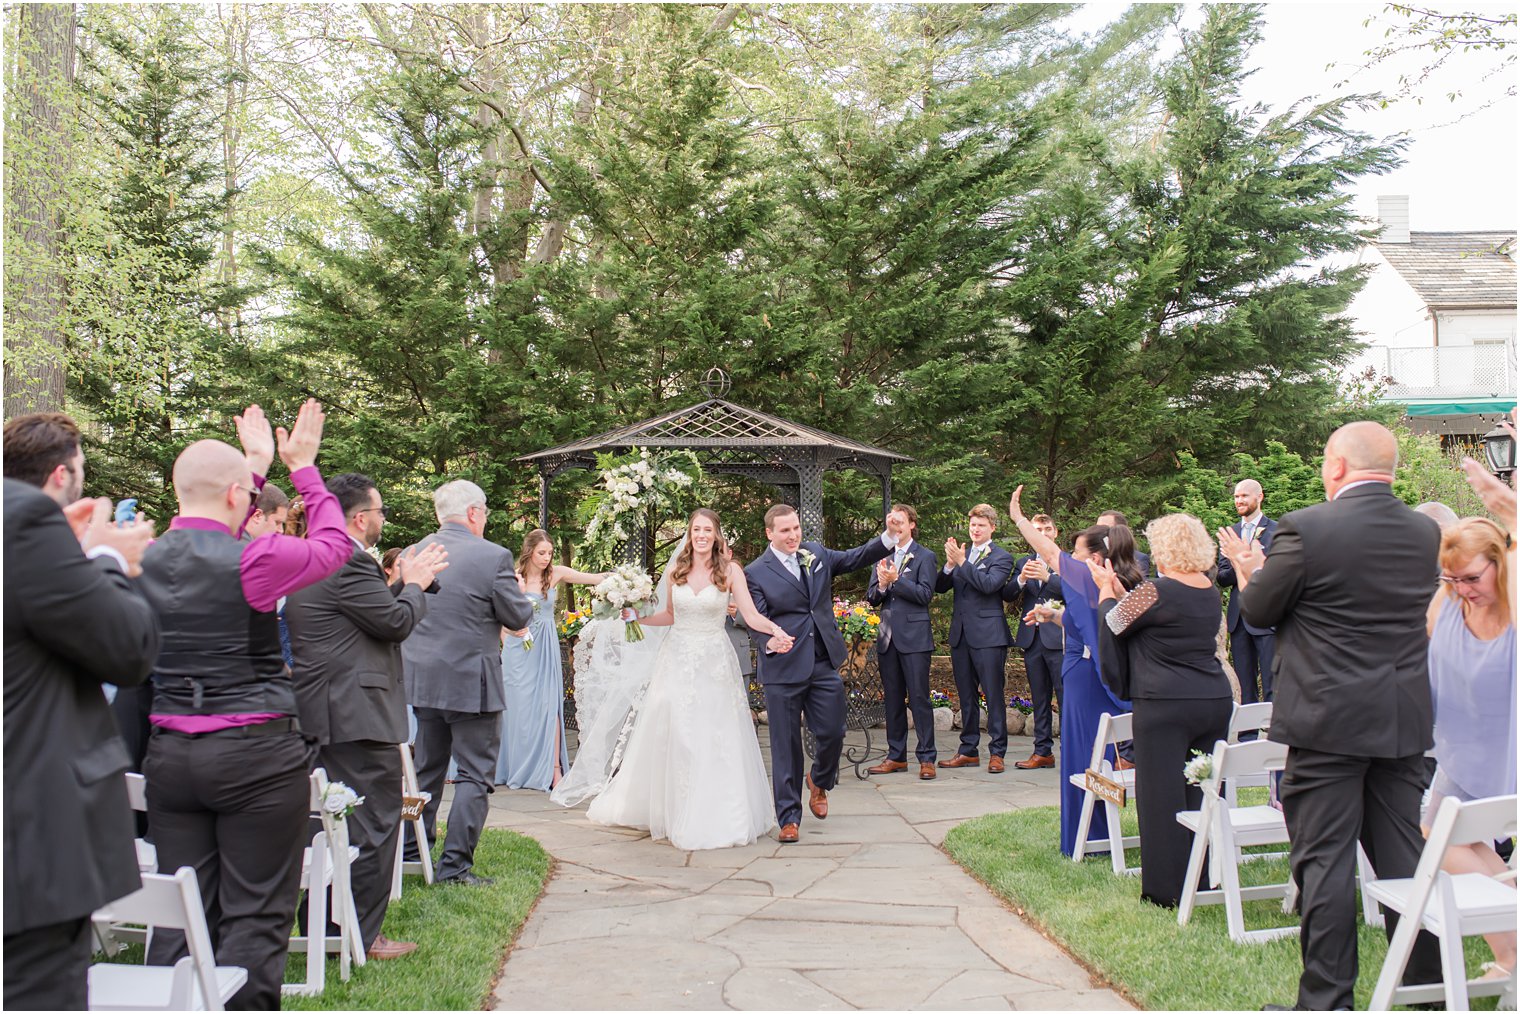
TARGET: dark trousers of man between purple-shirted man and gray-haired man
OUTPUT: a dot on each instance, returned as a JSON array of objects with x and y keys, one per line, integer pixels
[{"x": 375, "y": 772}]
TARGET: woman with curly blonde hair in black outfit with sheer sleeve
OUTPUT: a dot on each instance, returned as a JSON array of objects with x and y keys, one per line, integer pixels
[{"x": 1157, "y": 648}]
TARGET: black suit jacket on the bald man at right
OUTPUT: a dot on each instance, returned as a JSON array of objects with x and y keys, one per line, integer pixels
[{"x": 1347, "y": 585}]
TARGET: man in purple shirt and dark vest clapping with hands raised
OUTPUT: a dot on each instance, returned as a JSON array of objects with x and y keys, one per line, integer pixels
[{"x": 227, "y": 765}]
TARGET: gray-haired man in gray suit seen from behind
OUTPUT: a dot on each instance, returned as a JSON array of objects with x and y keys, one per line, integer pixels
[{"x": 454, "y": 671}]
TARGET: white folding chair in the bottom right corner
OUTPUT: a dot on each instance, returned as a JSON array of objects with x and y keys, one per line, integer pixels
[{"x": 1451, "y": 907}]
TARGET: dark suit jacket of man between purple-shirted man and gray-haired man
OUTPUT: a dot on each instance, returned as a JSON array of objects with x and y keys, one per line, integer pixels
[{"x": 347, "y": 635}]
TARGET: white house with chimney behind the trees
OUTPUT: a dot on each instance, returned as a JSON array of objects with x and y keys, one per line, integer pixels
[{"x": 1439, "y": 314}]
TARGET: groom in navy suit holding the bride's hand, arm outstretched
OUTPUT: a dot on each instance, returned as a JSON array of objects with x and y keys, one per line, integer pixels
[{"x": 793, "y": 585}]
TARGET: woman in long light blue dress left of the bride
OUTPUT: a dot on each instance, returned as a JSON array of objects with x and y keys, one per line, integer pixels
[{"x": 533, "y": 753}]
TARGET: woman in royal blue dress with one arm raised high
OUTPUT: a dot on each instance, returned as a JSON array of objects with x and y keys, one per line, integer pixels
[{"x": 1085, "y": 699}]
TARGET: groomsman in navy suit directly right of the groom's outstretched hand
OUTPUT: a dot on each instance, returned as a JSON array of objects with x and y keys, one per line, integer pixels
[{"x": 902, "y": 588}]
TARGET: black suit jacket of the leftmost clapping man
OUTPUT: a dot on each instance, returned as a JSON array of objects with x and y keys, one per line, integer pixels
[{"x": 71, "y": 624}]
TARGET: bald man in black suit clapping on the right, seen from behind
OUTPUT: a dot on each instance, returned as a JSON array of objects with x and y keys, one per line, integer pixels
[{"x": 1347, "y": 586}]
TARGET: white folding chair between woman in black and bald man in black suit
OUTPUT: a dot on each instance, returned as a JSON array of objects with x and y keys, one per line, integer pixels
[{"x": 1223, "y": 831}]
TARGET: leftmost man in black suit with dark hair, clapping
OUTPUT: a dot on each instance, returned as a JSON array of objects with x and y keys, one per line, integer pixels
[{"x": 72, "y": 623}]
